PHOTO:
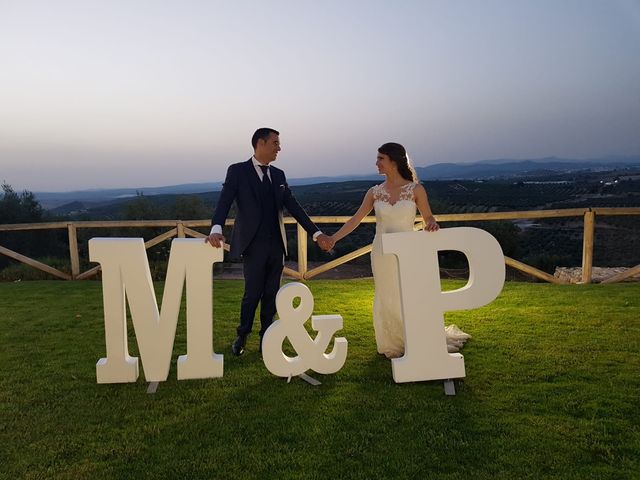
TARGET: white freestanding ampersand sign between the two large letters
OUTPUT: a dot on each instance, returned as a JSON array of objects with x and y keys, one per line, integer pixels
[{"x": 311, "y": 352}]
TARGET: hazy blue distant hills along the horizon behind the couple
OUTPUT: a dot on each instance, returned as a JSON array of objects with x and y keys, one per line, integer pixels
[{"x": 65, "y": 202}]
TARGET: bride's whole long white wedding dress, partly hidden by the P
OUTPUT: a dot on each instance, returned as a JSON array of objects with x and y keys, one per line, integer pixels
[{"x": 387, "y": 318}]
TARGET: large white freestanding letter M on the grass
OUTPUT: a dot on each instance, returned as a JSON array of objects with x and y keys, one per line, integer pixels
[{"x": 126, "y": 274}]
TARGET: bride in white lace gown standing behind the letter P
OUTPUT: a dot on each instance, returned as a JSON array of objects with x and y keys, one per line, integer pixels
[{"x": 395, "y": 201}]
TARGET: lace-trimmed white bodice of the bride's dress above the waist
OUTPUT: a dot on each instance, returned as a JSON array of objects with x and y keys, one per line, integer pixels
[{"x": 397, "y": 217}]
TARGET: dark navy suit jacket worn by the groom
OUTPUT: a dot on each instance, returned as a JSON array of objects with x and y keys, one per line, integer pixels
[{"x": 242, "y": 185}]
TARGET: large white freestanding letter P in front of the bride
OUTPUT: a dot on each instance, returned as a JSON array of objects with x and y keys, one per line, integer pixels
[{"x": 424, "y": 303}]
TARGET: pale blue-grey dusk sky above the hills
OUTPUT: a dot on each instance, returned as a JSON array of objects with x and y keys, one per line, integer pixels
[{"x": 130, "y": 93}]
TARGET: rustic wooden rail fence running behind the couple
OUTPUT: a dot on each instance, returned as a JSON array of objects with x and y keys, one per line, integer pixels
[{"x": 181, "y": 229}]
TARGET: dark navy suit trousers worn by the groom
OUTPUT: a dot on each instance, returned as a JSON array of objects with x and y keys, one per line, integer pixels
[{"x": 263, "y": 262}]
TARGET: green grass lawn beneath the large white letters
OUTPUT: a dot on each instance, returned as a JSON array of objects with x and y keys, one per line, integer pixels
[{"x": 552, "y": 391}]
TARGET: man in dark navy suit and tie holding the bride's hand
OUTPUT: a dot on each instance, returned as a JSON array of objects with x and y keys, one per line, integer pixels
[{"x": 260, "y": 192}]
